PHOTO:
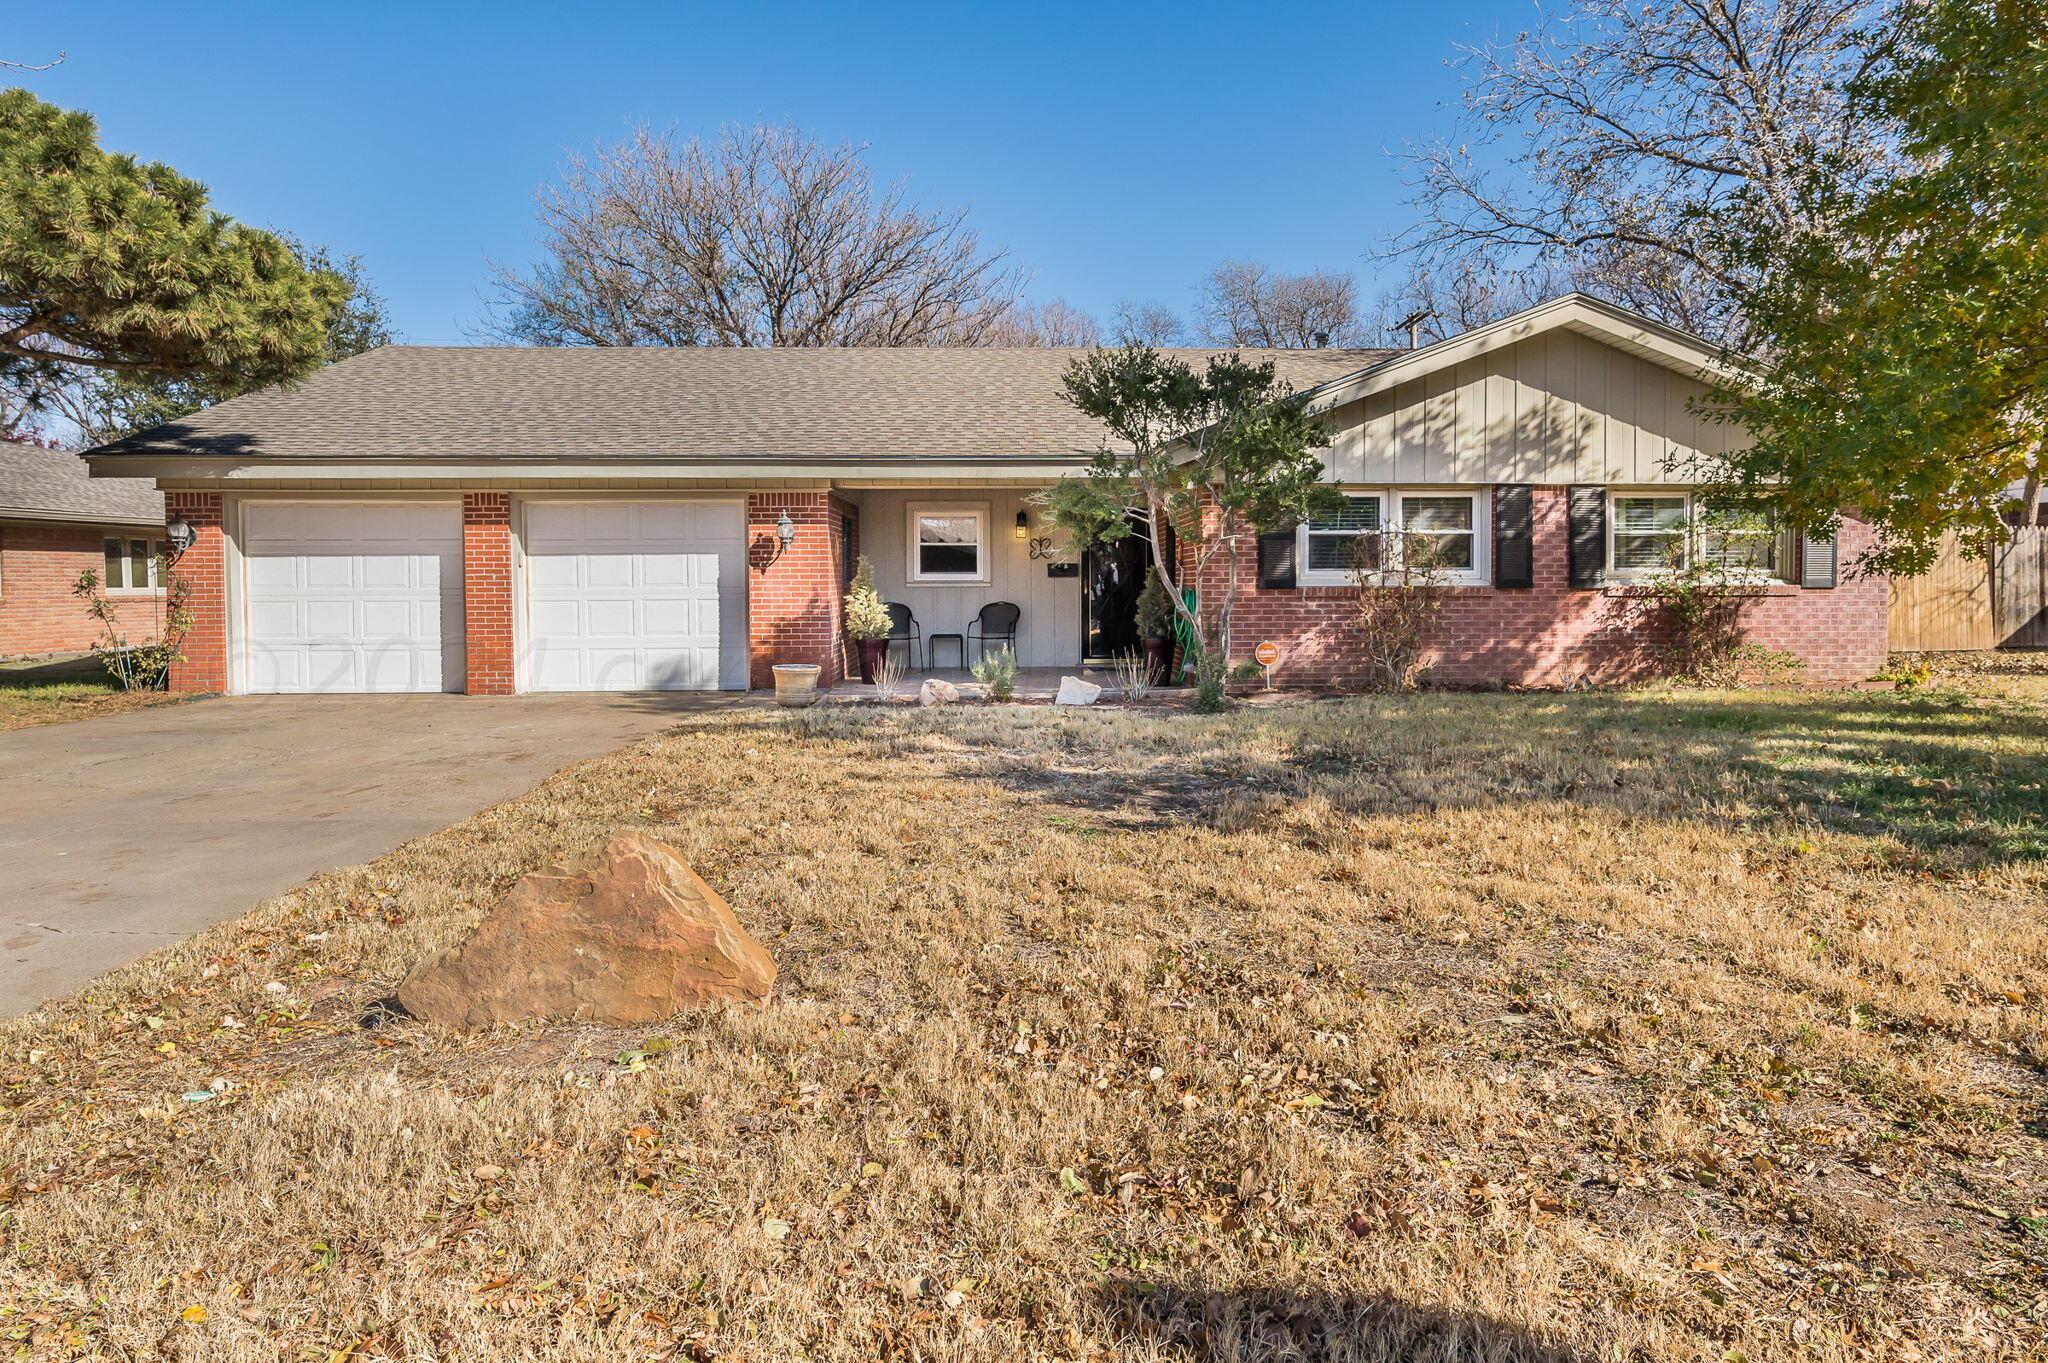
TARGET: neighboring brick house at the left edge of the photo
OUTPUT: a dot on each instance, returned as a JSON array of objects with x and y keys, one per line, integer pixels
[{"x": 54, "y": 525}]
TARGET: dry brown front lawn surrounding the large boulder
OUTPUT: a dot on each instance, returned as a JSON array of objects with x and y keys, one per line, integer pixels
[{"x": 1570, "y": 1028}]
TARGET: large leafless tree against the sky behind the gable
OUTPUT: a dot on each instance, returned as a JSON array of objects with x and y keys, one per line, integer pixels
[{"x": 1596, "y": 142}]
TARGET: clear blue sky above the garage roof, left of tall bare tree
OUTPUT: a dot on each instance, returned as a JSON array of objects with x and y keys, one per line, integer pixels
[{"x": 1115, "y": 150}]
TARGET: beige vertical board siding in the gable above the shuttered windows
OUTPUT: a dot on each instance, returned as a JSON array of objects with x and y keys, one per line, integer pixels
[{"x": 1558, "y": 408}]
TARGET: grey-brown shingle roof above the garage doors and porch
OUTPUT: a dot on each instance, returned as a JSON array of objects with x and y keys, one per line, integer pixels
[{"x": 529, "y": 404}]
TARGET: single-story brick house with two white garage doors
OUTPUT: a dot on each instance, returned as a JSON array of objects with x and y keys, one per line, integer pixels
[{"x": 511, "y": 521}]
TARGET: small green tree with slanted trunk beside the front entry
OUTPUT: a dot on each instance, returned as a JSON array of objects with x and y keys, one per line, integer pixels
[{"x": 1218, "y": 455}]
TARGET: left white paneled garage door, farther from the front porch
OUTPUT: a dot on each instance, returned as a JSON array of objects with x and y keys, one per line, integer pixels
[{"x": 353, "y": 597}]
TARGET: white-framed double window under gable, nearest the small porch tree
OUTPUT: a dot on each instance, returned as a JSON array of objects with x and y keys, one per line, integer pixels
[{"x": 1375, "y": 525}]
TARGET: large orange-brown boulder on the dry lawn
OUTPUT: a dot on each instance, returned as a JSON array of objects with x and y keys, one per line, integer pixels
[{"x": 624, "y": 934}]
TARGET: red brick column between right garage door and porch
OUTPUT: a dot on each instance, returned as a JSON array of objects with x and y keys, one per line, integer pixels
[{"x": 794, "y": 595}]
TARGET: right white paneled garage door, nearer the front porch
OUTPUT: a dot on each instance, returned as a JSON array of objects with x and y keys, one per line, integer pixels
[{"x": 636, "y": 597}]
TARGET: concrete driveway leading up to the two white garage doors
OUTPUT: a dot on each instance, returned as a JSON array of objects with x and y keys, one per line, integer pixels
[{"x": 130, "y": 832}]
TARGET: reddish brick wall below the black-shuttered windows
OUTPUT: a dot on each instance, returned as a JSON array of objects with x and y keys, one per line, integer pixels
[{"x": 1553, "y": 633}]
